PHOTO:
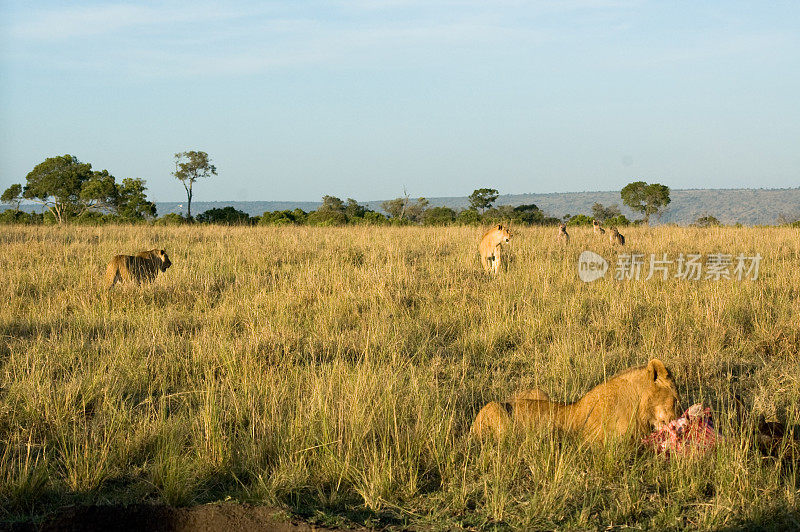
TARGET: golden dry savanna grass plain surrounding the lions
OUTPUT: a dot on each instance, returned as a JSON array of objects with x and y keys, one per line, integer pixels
[{"x": 334, "y": 373}]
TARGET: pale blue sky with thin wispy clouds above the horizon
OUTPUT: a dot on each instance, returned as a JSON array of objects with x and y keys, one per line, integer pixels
[{"x": 296, "y": 99}]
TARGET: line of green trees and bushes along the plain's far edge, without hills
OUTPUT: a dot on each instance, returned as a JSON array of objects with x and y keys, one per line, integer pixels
[{"x": 73, "y": 192}]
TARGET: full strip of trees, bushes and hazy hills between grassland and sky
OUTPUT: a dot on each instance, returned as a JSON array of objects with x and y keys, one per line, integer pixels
[{"x": 71, "y": 192}]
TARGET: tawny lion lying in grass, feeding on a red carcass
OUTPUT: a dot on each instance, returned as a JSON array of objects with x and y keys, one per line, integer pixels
[{"x": 630, "y": 405}]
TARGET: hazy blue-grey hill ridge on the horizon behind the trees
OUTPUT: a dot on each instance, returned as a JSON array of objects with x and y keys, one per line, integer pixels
[{"x": 730, "y": 206}]
